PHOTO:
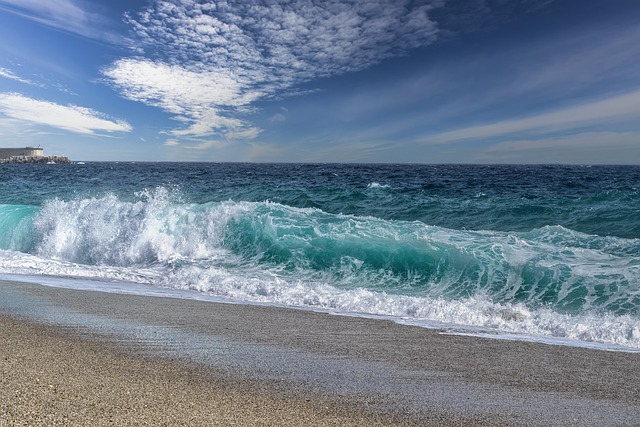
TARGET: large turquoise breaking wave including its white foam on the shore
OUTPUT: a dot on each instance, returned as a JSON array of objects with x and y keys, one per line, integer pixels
[{"x": 549, "y": 281}]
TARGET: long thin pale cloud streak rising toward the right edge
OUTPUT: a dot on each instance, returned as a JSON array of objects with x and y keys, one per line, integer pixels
[{"x": 615, "y": 109}]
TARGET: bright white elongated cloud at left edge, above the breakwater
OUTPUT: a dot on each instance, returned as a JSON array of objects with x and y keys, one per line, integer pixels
[{"x": 67, "y": 117}]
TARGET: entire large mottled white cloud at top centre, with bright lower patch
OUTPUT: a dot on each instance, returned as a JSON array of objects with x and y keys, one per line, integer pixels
[{"x": 207, "y": 63}]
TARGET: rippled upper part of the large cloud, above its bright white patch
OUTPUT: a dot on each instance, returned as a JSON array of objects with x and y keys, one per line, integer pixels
[{"x": 278, "y": 43}]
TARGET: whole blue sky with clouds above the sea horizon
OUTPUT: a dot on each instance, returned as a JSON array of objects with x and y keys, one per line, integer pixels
[{"x": 433, "y": 81}]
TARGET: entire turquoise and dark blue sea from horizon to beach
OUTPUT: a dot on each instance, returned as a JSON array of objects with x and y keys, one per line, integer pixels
[{"x": 543, "y": 253}]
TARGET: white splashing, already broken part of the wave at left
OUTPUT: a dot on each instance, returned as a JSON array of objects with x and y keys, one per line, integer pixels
[{"x": 108, "y": 231}]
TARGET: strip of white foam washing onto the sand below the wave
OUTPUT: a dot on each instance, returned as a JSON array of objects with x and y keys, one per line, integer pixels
[{"x": 473, "y": 315}]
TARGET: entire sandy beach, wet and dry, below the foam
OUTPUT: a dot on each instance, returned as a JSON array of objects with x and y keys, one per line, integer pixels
[{"x": 78, "y": 357}]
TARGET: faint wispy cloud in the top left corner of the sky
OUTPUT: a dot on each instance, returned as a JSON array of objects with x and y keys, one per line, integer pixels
[{"x": 66, "y": 15}]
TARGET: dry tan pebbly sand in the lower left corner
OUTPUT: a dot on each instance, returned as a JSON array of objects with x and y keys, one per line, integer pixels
[{"x": 50, "y": 377}]
